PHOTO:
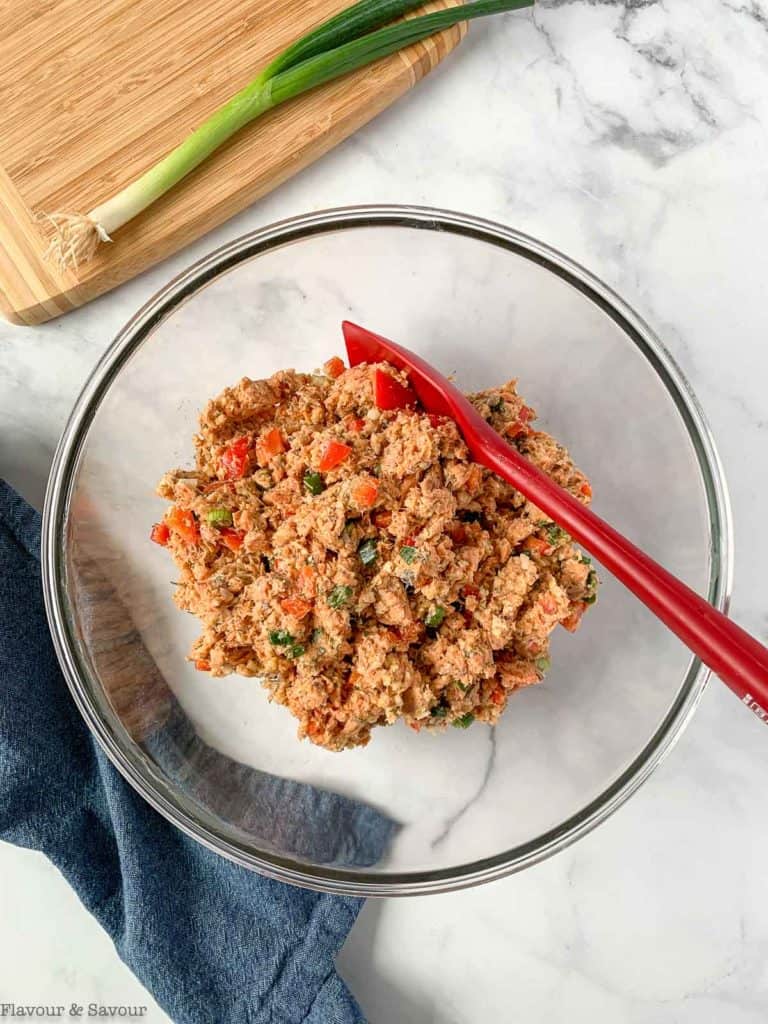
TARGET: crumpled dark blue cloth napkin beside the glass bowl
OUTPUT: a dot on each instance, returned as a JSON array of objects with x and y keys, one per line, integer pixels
[{"x": 212, "y": 942}]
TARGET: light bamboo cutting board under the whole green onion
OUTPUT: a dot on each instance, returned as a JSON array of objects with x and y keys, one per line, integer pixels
[{"x": 94, "y": 93}]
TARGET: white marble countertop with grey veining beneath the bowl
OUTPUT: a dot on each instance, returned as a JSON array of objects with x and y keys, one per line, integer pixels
[{"x": 634, "y": 138}]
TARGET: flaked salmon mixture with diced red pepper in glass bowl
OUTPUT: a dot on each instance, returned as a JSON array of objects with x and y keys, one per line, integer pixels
[{"x": 358, "y": 562}]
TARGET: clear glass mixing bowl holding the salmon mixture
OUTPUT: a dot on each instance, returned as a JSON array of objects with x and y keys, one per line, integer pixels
[{"x": 408, "y": 815}]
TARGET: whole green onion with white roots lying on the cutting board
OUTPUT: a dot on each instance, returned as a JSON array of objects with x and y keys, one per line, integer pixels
[{"x": 337, "y": 48}]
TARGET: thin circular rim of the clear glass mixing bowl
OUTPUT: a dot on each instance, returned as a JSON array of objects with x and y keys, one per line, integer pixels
[{"x": 111, "y": 737}]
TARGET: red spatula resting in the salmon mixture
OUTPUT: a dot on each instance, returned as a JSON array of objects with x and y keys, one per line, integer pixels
[{"x": 736, "y": 657}]
